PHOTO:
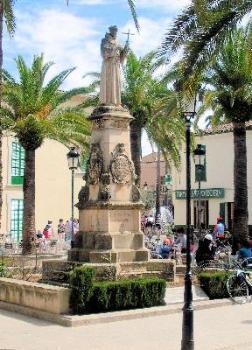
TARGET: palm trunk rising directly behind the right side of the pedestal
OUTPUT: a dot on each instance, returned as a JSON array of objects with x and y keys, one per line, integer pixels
[{"x": 135, "y": 143}]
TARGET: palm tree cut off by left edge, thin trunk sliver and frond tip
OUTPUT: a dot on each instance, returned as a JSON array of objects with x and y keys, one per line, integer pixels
[{"x": 6, "y": 13}]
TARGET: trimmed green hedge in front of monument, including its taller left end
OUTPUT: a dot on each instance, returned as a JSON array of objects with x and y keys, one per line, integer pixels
[{"x": 88, "y": 296}]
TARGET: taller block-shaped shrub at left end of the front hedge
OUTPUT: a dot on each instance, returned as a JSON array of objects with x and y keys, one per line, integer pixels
[{"x": 81, "y": 284}]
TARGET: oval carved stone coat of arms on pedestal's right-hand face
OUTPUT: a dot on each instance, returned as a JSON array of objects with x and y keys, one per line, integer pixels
[{"x": 122, "y": 169}]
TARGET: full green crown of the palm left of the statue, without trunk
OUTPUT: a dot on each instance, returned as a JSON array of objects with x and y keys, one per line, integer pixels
[{"x": 30, "y": 104}]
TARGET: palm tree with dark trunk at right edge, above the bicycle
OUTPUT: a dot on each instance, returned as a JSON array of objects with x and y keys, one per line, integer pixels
[{"x": 231, "y": 100}]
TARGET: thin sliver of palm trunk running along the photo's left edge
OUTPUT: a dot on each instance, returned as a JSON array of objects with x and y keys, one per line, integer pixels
[{"x": 1, "y": 133}]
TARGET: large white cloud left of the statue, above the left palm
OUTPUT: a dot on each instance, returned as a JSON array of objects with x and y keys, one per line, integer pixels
[{"x": 66, "y": 39}]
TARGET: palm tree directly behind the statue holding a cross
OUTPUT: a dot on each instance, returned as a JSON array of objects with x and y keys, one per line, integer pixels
[{"x": 153, "y": 106}]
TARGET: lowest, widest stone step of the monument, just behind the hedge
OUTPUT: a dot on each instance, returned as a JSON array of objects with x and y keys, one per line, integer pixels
[{"x": 57, "y": 270}]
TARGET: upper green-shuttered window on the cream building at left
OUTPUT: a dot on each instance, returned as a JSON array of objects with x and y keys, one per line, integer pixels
[{"x": 17, "y": 164}]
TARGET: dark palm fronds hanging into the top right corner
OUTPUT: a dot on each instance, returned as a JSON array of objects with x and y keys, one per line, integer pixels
[{"x": 200, "y": 30}]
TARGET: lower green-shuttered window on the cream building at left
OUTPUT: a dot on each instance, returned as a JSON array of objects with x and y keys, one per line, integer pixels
[{"x": 16, "y": 219}]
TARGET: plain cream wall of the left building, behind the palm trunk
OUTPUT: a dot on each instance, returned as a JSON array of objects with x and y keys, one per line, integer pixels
[{"x": 53, "y": 185}]
